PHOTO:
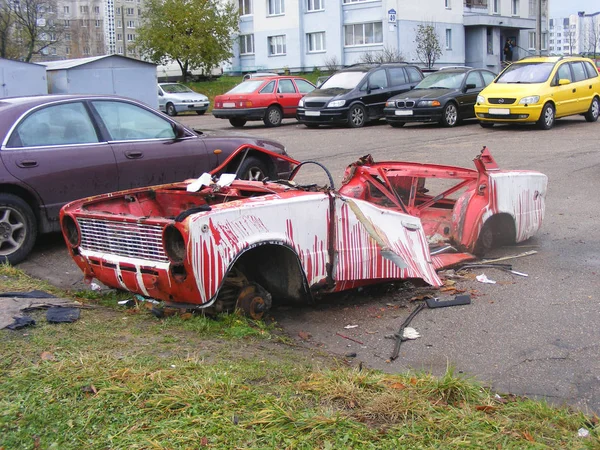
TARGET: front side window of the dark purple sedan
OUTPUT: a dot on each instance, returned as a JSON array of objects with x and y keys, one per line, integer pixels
[{"x": 127, "y": 122}]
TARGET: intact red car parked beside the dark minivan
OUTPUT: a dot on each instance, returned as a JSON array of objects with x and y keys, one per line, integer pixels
[{"x": 269, "y": 99}]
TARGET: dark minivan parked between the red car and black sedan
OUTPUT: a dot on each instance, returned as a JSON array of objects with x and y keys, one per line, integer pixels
[{"x": 357, "y": 94}]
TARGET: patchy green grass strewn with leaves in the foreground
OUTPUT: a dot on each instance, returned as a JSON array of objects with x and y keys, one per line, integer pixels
[{"x": 121, "y": 378}]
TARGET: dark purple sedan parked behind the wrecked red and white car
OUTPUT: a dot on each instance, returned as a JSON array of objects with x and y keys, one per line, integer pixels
[{"x": 58, "y": 148}]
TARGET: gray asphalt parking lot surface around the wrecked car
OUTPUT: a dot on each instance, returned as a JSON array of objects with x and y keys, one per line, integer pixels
[{"x": 534, "y": 335}]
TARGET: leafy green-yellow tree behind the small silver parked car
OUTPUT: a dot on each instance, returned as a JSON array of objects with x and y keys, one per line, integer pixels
[{"x": 195, "y": 33}]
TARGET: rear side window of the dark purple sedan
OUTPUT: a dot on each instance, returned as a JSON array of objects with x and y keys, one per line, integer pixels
[{"x": 64, "y": 124}]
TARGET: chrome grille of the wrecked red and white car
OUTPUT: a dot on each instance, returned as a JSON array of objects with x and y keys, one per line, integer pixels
[{"x": 133, "y": 240}]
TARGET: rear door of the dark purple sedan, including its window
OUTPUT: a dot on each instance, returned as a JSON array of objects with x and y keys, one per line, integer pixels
[{"x": 59, "y": 152}]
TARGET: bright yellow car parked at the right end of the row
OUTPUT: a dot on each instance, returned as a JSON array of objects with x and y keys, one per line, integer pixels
[{"x": 540, "y": 90}]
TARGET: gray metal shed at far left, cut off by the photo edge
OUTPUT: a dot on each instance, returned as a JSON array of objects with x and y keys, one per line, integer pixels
[{"x": 18, "y": 78}]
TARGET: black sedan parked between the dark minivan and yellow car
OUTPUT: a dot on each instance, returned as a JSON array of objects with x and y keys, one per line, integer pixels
[{"x": 447, "y": 96}]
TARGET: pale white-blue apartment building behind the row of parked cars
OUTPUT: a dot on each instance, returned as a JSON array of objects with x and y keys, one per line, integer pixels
[{"x": 303, "y": 34}]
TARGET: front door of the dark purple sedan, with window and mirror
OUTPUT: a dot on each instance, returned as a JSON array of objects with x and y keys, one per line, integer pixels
[{"x": 145, "y": 147}]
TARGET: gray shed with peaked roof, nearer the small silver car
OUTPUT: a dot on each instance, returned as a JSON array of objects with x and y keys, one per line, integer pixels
[{"x": 108, "y": 74}]
